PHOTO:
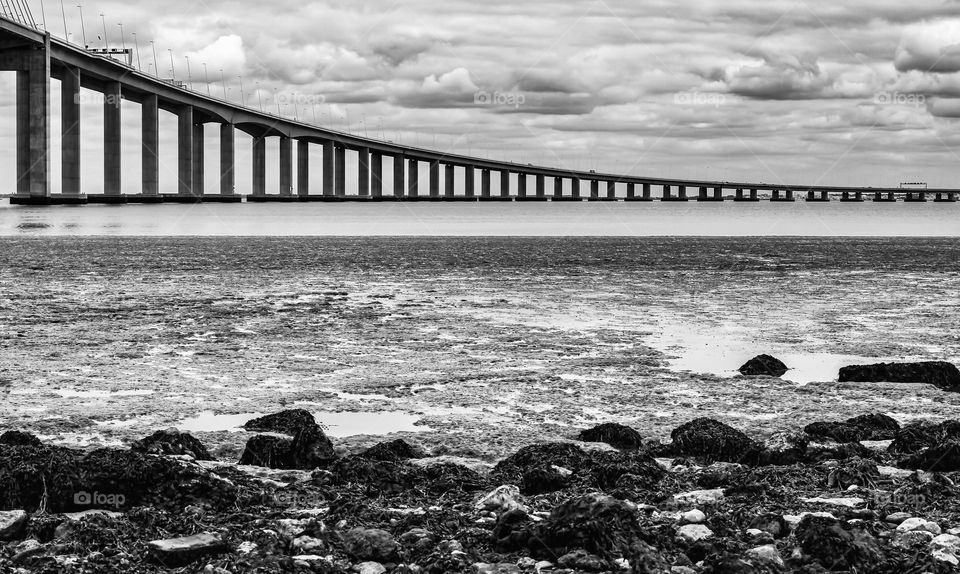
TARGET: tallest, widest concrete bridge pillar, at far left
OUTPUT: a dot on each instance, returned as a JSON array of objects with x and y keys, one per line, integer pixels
[{"x": 33, "y": 124}]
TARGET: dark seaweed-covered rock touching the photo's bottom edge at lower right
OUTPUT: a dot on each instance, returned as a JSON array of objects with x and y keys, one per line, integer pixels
[{"x": 836, "y": 545}]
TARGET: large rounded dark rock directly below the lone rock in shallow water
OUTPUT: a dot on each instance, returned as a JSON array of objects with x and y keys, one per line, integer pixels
[{"x": 713, "y": 441}]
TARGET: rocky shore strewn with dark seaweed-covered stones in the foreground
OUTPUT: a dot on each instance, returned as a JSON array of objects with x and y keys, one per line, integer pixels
[{"x": 858, "y": 495}]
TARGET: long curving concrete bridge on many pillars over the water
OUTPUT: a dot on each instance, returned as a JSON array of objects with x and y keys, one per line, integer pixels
[{"x": 37, "y": 57}]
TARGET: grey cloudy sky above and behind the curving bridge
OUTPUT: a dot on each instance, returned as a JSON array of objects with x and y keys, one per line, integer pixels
[{"x": 853, "y": 92}]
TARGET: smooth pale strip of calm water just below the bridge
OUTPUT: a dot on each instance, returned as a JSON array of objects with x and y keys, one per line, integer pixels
[{"x": 488, "y": 219}]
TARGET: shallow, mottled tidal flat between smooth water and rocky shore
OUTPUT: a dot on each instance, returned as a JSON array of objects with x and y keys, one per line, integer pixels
[{"x": 476, "y": 343}]
